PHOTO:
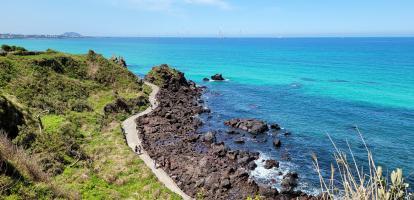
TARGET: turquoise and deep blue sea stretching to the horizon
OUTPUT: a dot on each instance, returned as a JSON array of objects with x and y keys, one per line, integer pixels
[{"x": 310, "y": 86}]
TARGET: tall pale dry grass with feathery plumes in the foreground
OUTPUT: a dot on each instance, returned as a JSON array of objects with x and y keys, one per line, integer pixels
[{"x": 357, "y": 183}]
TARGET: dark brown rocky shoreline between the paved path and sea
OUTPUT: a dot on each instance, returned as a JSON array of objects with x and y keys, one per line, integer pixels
[{"x": 201, "y": 166}]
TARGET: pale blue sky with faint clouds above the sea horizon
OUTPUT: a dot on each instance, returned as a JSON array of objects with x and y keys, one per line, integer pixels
[{"x": 270, "y": 18}]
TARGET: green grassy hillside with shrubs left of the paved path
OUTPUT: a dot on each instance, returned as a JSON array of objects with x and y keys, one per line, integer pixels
[{"x": 61, "y": 116}]
